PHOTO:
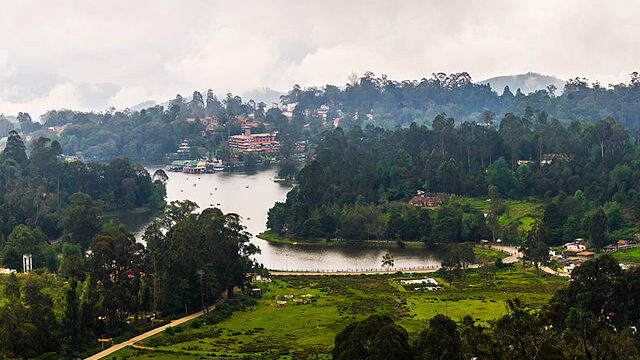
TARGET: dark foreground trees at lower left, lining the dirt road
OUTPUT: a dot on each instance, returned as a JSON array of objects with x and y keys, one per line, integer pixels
[{"x": 189, "y": 262}]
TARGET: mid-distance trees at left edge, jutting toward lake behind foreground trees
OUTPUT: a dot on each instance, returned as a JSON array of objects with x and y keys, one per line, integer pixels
[{"x": 45, "y": 199}]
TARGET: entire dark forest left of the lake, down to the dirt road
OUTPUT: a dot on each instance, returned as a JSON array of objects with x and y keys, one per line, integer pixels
[{"x": 53, "y": 209}]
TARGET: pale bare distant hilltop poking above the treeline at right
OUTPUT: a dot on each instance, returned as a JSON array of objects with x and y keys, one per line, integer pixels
[{"x": 527, "y": 83}]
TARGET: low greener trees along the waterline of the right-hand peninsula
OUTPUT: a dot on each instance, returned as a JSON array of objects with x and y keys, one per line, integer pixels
[{"x": 453, "y": 222}]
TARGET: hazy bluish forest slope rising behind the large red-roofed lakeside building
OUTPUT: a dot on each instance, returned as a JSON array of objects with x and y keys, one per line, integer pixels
[{"x": 155, "y": 133}]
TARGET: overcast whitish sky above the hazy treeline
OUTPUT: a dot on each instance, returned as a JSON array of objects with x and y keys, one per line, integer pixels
[{"x": 92, "y": 55}]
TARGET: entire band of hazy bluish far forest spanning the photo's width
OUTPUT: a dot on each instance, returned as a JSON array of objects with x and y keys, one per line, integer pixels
[{"x": 156, "y": 133}]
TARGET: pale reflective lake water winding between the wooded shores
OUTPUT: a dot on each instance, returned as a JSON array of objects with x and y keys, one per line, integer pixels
[{"x": 250, "y": 195}]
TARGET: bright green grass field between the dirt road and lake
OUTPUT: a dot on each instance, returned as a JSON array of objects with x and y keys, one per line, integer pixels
[{"x": 307, "y": 330}]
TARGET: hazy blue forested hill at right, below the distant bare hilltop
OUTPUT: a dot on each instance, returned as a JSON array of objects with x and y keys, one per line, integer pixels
[{"x": 389, "y": 103}]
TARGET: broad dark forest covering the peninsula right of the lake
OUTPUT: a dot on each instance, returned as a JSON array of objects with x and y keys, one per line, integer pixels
[{"x": 357, "y": 184}]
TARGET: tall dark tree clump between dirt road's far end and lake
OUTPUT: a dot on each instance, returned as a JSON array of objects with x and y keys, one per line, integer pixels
[{"x": 197, "y": 257}]
